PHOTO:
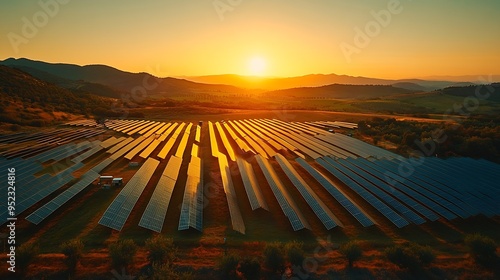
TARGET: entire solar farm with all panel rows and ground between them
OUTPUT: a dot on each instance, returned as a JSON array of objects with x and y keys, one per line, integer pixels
[{"x": 243, "y": 180}]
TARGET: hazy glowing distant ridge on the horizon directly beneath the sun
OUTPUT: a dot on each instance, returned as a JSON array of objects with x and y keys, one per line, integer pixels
[{"x": 316, "y": 80}]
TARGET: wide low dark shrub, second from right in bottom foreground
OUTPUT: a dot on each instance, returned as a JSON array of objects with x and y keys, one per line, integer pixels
[{"x": 412, "y": 257}]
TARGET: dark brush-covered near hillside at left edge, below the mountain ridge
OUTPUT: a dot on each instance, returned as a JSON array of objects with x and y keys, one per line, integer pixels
[{"x": 25, "y": 99}]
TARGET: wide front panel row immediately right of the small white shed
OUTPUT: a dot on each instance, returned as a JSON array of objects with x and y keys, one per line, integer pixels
[{"x": 117, "y": 213}]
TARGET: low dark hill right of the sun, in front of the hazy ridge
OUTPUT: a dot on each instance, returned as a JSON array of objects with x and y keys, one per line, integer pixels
[{"x": 340, "y": 91}]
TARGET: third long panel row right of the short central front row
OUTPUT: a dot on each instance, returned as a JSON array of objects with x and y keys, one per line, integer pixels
[{"x": 338, "y": 194}]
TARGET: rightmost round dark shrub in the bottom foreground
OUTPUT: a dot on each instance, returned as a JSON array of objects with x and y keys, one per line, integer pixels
[{"x": 482, "y": 249}]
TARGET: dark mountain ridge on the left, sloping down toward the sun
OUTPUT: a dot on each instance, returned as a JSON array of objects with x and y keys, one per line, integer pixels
[{"x": 117, "y": 79}]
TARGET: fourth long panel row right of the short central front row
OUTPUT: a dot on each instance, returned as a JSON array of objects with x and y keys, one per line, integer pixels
[{"x": 394, "y": 217}]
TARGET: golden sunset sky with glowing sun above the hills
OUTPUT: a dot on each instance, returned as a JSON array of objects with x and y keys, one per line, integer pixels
[{"x": 373, "y": 38}]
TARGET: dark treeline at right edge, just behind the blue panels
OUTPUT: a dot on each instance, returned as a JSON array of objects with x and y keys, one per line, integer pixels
[{"x": 476, "y": 137}]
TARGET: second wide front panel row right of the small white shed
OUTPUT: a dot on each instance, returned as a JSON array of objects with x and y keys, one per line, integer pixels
[{"x": 154, "y": 215}]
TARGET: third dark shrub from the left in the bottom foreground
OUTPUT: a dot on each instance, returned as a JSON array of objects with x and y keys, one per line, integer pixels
[{"x": 161, "y": 249}]
